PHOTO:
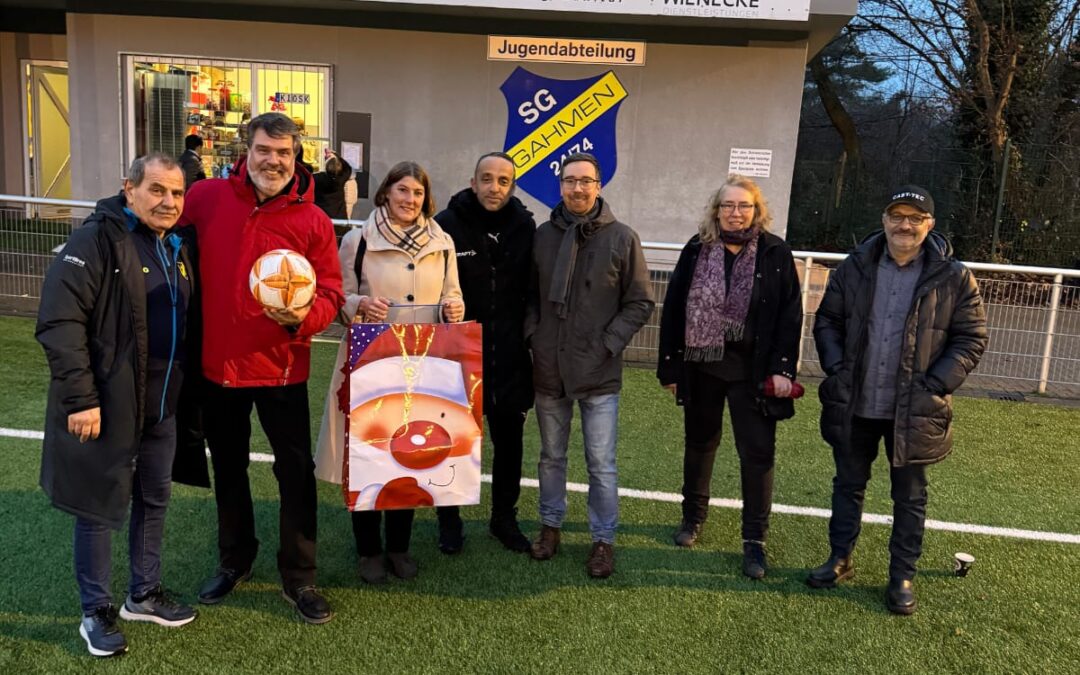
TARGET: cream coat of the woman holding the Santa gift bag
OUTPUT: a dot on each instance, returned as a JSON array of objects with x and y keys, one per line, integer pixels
[{"x": 386, "y": 273}]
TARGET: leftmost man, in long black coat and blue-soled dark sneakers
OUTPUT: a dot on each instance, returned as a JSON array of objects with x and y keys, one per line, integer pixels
[{"x": 113, "y": 323}]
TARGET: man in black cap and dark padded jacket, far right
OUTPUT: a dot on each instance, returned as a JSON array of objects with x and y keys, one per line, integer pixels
[{"x": 899, "y": 330}]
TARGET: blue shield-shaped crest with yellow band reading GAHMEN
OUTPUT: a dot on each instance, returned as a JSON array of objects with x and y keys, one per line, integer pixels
[{"x": 550, "y": 119}]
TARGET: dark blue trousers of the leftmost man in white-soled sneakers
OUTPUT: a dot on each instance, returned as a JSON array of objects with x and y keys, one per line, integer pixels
[{"x": 152, "y": 488}]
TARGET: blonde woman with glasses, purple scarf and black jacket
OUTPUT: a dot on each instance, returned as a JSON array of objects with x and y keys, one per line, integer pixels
[{"x": 730, "y": 334}]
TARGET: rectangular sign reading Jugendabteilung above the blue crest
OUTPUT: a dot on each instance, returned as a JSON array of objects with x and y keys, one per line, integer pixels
[{"x": 565, "y": 51}]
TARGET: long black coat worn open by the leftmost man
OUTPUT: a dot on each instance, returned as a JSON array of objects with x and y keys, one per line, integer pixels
[{"x": 92, "y": 326}]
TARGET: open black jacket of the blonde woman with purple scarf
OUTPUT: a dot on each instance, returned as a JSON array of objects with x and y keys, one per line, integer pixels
[{"x": 779, "y": 321}]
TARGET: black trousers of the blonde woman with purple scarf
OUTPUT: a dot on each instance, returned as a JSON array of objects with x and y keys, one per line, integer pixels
[{"x": 755, "y": 437}]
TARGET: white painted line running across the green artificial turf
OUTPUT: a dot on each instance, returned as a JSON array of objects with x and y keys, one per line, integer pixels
[{"x": 876, "y": 519}]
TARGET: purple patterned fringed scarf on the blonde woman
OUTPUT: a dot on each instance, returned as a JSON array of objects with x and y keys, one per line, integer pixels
[{"x": 717, "y": 314}]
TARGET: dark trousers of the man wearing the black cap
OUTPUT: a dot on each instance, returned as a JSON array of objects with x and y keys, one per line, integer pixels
[{"x": 849, "y": 490}]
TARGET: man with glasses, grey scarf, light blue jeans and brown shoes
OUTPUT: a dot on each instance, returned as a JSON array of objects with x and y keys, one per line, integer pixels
[{"x": 591, "y": 295}]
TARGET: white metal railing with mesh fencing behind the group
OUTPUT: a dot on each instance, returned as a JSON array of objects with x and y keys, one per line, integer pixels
[{"x": 1034, "y": 322}]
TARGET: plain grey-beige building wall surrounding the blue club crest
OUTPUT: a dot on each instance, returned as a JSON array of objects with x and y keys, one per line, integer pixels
[{"x": 436, "y": 99}]
